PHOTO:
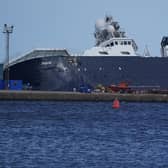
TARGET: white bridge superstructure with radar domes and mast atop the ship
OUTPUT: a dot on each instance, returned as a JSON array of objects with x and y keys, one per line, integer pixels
[{"x": 110, "y": 40}]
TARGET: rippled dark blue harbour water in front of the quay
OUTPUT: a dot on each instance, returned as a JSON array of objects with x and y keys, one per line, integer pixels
[{"x": 83, "y": 134}]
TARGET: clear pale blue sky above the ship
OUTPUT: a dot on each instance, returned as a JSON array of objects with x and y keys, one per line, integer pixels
[{"x": 70, "y": 24}]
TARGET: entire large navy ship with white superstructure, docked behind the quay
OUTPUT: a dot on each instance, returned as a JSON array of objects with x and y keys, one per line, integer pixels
[{"x": 112, "y": 60}]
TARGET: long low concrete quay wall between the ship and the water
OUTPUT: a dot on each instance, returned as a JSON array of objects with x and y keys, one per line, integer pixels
[{"x": 77, "y": 96}]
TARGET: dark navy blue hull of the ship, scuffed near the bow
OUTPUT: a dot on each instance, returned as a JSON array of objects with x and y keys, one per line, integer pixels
[{"x": 63, "y": 73}]
